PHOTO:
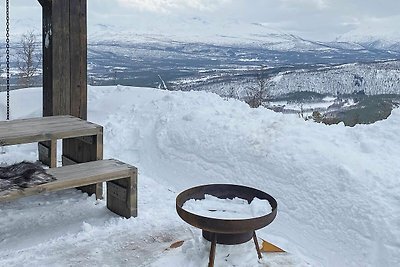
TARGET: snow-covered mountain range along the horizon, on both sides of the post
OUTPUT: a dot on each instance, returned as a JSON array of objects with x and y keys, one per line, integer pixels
[{"x": 151, "y": 28}]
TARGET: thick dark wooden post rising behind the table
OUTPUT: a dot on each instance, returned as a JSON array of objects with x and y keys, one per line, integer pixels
[{"x": 65, "y": 76}]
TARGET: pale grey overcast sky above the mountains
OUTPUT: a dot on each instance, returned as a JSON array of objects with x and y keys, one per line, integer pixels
[{"x": 314, "y": 19}]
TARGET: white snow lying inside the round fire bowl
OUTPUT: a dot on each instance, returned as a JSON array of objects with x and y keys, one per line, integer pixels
[{"x": 233, "y": 209}]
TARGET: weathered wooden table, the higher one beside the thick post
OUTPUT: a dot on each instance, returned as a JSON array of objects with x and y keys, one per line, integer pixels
[{"x": 82, "y": 140}]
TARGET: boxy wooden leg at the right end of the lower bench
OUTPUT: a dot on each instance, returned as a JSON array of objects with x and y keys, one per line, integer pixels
[{"x": 122, "y": 195}]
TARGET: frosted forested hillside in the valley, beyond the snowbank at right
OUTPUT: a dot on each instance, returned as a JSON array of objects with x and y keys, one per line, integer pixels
[{"x": 370, "y": 78}]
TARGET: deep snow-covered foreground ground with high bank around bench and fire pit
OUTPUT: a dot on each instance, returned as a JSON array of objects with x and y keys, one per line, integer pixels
[{"x": 337, "y": 187}]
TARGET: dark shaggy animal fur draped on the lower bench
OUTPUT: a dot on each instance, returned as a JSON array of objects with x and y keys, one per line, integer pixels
[{"x": 22, "y": 175}]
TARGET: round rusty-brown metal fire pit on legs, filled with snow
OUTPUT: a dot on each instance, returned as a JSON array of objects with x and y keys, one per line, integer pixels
[{"x": 226, "y": 231}]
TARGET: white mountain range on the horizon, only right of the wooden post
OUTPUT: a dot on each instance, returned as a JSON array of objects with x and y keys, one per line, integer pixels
[{"x": 239, "y": 33}]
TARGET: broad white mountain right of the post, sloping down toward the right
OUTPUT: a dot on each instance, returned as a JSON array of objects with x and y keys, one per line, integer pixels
[{"x": 196, "y": 30}]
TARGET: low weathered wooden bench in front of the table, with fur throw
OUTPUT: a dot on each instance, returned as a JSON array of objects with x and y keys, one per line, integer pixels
[{"x": 121, "y": 181}]
